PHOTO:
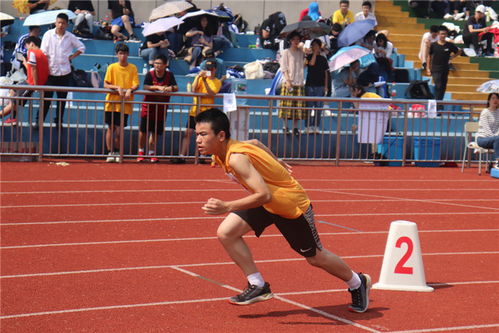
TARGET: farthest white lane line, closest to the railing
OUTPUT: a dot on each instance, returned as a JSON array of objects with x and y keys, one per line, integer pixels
[{"x": 228, "y": 181}]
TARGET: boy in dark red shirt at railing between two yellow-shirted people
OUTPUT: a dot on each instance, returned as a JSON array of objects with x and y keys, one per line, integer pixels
[{"x": 153, "y": 116}]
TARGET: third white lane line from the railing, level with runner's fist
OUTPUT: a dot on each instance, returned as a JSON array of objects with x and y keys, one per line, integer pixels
[{"x": 202, "y": 202}]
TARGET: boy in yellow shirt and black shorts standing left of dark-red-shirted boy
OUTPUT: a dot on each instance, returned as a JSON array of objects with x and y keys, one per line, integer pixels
[{"x": 124, "y": 79}]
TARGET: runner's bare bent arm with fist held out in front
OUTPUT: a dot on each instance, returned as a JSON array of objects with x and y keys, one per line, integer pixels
[{"x": 260, "y": 192}]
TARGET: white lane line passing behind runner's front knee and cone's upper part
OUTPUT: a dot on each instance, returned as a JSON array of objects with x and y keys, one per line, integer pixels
[{"x": 159, "y": 240}]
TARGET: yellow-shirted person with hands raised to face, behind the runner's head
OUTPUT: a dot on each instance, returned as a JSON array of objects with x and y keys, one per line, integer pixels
[{"x": 205, "y": 83}]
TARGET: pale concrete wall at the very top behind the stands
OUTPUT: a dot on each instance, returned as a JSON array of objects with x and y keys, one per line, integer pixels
[{"x": 253, "y": 11}]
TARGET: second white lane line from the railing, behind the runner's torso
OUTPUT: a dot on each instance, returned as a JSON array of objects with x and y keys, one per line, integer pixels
[{"x": 232, "y": 189}]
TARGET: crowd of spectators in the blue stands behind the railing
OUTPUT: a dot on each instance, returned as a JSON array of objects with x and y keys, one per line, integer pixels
[{"x": 200, "y": 42}]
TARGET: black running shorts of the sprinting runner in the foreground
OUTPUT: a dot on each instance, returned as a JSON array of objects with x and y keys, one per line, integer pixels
[{"x": 300, "y": 233}]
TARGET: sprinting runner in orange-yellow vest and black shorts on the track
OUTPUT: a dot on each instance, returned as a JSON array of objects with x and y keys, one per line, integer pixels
[{"x": 275, "y": 197}]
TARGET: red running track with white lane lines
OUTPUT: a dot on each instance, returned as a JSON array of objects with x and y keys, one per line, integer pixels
[{"x": 92, "y": 247}]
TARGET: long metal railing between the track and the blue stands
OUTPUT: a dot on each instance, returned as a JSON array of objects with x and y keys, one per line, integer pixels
[{"x": 350, "y": 129}]
